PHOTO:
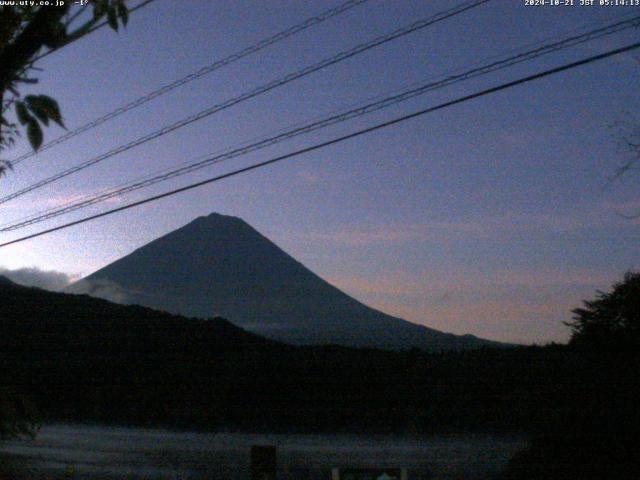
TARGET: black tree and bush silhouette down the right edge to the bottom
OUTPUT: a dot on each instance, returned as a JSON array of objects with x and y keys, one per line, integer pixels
[{"x": 598, "y": 436}]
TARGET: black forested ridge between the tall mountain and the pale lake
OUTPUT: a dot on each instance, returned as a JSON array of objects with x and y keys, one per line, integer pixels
[{"x": 83, "y": 359}]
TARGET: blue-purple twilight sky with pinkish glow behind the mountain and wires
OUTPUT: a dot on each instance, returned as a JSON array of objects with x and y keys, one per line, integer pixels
[{"x": 494, "y": 217}]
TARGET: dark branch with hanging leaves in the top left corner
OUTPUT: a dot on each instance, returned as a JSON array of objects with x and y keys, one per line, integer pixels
[{"x": 26, "y": 34}]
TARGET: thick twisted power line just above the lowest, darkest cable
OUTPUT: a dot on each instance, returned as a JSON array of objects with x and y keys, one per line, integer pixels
[{"x": 325, "y": 122}]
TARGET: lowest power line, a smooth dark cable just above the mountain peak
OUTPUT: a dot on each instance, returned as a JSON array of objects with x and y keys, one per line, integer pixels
[{"x": 334, "y": 141}]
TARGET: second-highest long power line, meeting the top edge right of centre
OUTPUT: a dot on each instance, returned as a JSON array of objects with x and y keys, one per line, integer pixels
[{"x": 253, "y": 93}]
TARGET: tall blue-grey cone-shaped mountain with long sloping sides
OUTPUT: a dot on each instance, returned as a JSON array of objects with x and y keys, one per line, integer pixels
[{"x": 220, "y": 265}]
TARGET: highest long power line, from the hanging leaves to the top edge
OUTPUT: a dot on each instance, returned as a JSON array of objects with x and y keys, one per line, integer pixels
[{"x": 262, "y": 44}]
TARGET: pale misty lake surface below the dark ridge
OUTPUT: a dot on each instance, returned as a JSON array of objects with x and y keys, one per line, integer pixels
[{"x": 136, "y": 453}]
